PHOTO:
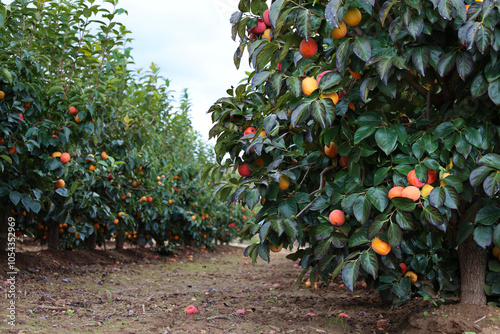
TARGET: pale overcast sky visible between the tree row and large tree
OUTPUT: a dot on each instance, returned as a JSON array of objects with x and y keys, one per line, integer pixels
[{"x": 191, "y": 42}]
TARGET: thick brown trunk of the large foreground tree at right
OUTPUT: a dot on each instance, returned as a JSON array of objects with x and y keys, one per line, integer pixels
[{"x": 473, "y": 261}]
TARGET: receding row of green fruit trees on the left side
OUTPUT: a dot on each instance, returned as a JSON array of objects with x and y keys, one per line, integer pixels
[{"x": 91, "y": 150}]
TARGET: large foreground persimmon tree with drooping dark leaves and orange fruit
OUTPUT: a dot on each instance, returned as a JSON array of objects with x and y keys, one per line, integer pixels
[{"x": 373, "y": 141}]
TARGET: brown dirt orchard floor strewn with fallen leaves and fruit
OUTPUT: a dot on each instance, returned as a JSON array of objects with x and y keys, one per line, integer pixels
[{"x": 135, "y": 291}]
